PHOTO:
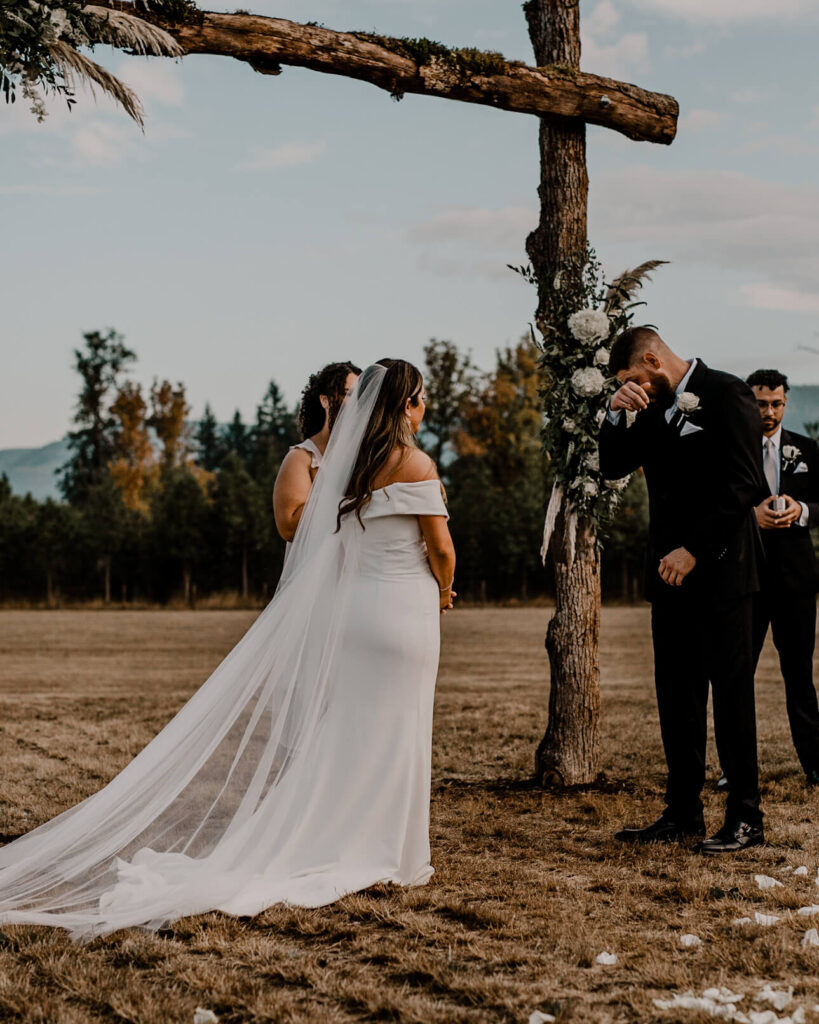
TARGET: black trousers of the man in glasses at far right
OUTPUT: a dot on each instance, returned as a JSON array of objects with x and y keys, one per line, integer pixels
[{"x": 793, "y": 618}]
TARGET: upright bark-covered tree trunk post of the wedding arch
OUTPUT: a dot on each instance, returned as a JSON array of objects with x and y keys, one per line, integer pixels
[{"x": 569, "y": 754}]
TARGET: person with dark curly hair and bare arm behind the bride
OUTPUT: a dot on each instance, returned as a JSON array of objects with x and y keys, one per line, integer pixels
[{"x": 321, "y": 403}]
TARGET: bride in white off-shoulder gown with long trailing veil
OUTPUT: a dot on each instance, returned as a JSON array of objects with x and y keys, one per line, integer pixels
[{"x": 300, "y": 771}]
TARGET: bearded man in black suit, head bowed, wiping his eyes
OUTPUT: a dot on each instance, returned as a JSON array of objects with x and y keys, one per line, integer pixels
[{"x": 698, "y": 435}]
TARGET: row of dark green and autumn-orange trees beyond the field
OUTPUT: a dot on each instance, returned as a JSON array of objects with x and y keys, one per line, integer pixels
[{"x": 156, "y": 508}]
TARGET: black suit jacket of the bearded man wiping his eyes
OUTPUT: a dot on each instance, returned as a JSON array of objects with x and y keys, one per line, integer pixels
[{"x": 705, "y": 478}]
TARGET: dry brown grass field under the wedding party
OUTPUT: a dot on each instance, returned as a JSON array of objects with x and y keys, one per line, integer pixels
[{"x": 529, "y": 889}]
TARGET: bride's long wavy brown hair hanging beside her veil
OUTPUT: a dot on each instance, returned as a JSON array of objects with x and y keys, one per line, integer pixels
[{"x": 387, "y": 430}]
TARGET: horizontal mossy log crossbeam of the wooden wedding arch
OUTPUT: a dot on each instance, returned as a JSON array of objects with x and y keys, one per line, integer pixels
[{"x": 402, "y": 66}]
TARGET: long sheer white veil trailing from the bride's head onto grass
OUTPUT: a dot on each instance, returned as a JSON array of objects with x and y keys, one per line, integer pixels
[{"x": 213, "y": 798}]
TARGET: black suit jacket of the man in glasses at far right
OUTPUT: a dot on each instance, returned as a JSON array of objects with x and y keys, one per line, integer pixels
[{"x": 790, "y": 560}]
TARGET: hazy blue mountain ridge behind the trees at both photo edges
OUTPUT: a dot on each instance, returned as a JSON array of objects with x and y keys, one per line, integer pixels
[{"x": 34, "y": 471}]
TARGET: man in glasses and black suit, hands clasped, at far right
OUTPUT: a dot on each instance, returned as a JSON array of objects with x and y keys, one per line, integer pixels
[{"x": 788, "y": 600}]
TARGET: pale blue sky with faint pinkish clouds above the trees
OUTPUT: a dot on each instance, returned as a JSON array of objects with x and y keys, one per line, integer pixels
[{"x": 263, "y": 227}]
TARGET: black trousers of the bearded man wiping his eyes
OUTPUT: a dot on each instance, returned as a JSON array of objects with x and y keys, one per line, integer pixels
[{"x": 697, "y": 643}]
